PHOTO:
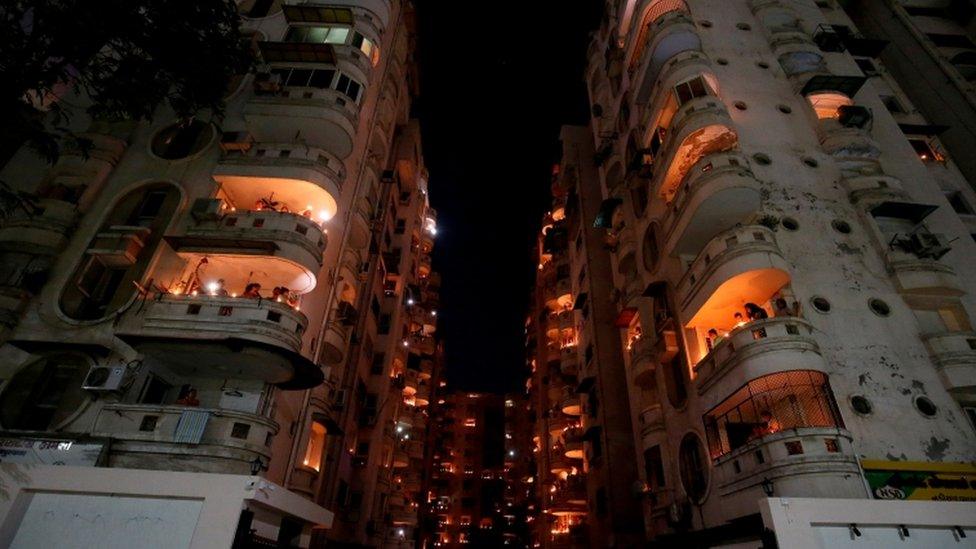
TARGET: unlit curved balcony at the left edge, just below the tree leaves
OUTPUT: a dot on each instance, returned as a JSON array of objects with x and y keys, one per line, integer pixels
[{"x": 43, "y": 231}]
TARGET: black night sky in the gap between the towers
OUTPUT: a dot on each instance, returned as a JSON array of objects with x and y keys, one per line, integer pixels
[{"x": 497, "y": 80}]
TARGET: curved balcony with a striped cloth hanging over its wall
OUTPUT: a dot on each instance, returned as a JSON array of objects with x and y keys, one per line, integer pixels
[{"x": 144, "y": 436}]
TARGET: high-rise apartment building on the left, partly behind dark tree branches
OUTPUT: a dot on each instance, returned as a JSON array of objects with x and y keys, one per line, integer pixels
[{"x": 240, "y": 321}]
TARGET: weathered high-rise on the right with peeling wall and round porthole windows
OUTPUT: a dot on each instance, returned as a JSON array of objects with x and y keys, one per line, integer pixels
[{"x": 755, "y": 279}]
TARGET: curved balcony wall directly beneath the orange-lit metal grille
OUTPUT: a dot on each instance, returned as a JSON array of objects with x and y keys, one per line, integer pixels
[{"x": 813, "y": 462}]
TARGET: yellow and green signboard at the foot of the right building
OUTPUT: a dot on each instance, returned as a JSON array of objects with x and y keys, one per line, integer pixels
[{"x": 916, "y": 480}]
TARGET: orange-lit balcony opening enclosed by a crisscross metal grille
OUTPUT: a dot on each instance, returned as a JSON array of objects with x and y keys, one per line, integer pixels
[{"x": 770, "y": 404}]
